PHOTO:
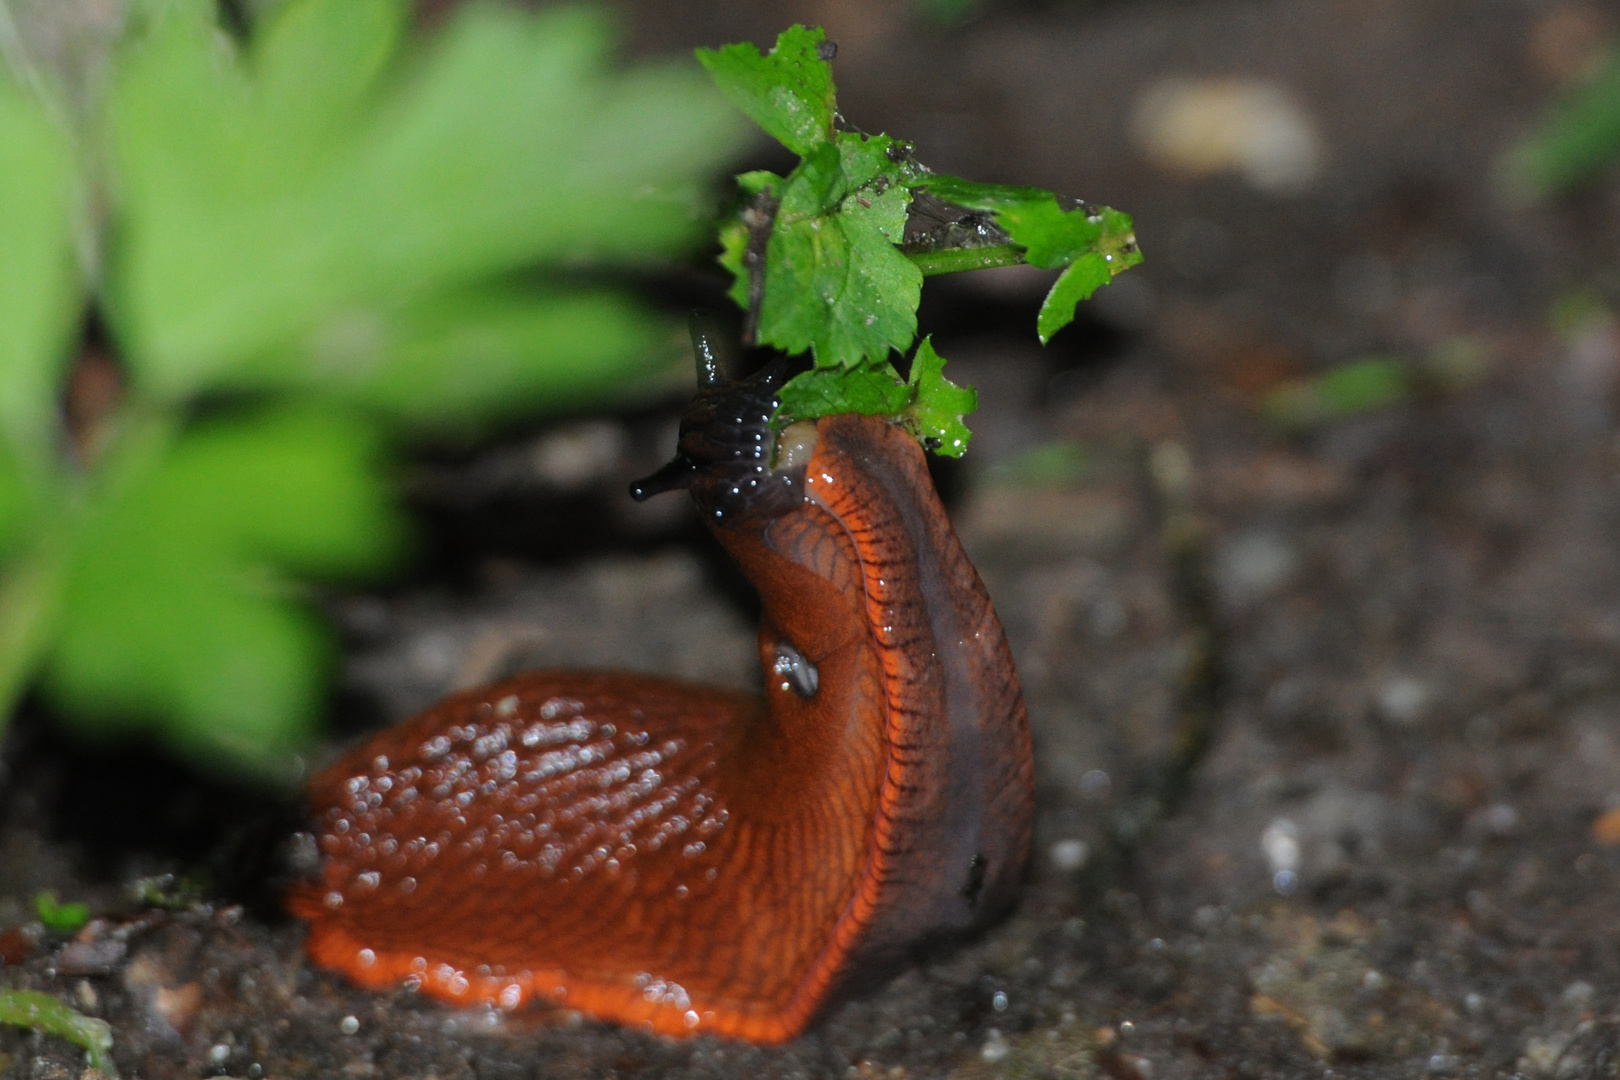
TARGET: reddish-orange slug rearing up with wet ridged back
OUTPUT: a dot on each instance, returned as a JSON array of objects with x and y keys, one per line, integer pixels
[{"x": 691, "y": 859}]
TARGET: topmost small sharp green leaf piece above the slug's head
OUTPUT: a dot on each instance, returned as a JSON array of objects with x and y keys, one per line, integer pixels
[{"x": 787, "y": 91}]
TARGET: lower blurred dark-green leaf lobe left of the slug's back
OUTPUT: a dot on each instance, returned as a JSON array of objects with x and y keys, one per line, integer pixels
[{"x": 177, "y": 610}]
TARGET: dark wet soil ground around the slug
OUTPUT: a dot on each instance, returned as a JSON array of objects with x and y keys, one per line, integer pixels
[{"x": 1386, "y": 864}]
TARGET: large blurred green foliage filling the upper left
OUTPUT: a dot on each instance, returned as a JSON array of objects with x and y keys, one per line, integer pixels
[{"x": 301, "y": 249}]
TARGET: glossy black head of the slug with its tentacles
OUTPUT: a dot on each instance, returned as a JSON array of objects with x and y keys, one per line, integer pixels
[{"x": 728, "y": 457}]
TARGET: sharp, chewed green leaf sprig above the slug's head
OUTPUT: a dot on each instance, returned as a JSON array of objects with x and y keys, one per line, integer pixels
[{"x": 825, "y": 260}]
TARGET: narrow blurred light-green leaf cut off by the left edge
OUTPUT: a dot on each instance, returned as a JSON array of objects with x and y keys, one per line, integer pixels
[{"x": 41, "y": 296}]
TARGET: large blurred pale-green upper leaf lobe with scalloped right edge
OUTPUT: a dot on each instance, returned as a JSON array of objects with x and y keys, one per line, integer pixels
[{"x": 254, "y": 211}]
